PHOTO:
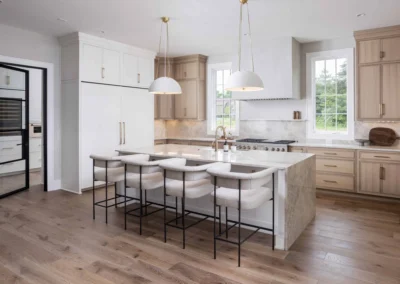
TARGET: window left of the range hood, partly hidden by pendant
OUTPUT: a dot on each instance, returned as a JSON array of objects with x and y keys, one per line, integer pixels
[{"x": 221, "y": 109}]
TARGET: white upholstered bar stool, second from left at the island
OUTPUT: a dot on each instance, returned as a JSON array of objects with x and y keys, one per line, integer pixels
[{"x": 143, "y": 174}]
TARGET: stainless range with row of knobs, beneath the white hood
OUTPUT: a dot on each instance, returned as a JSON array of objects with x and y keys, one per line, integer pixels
[{"x": 263, "y": 144}]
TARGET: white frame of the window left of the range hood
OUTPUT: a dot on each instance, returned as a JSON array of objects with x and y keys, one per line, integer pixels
[{"x": 211, "y": 99}]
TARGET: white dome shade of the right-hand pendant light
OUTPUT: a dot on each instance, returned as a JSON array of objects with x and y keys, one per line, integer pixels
[{"x": 244, "y": 81}]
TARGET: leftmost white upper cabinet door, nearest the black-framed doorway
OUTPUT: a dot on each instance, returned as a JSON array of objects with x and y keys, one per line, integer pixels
[{"x": 92, "y": 63}]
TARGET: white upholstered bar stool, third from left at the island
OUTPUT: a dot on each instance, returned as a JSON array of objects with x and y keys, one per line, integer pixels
[{"x": 184, "y": 182}]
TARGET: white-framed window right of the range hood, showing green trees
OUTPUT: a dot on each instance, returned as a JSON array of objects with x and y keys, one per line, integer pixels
[{"x": 330, "y": 94}]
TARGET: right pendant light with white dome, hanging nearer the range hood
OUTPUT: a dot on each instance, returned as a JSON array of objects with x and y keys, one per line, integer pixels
[{"x": 244, "y": 81}]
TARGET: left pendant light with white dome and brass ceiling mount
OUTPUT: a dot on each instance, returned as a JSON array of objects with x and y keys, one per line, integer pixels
[{"x": 165, "y": 85}]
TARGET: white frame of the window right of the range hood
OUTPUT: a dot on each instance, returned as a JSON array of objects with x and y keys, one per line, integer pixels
[{"x": 311, "y": 58}]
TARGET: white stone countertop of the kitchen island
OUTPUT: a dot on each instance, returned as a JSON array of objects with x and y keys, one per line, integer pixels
[{"x": 198, "y": 153}]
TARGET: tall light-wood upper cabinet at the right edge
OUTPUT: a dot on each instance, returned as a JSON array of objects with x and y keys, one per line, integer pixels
[{"x": 378, "y": 74}]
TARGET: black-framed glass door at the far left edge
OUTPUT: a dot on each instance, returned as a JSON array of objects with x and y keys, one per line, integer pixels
[{"x": 14, "y": 130}]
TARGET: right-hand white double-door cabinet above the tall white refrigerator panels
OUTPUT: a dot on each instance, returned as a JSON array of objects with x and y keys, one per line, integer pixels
[{"x": 137, "y": 71}]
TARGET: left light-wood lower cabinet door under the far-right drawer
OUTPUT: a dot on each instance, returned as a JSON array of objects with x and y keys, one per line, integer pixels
[{"x": 370, "y": 181}]
